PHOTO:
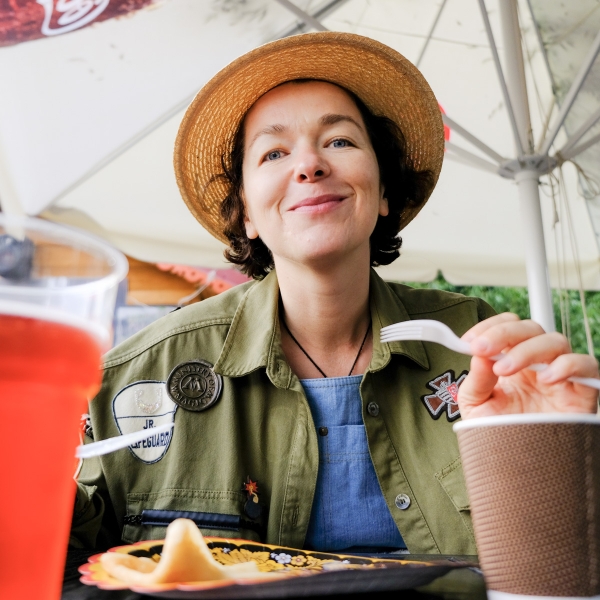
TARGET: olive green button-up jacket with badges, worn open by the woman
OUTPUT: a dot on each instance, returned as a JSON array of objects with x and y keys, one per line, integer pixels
[{"x": 261, "y": 425}]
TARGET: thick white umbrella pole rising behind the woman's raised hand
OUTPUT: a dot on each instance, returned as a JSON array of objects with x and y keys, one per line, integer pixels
[{"x": 527, "y": 176}]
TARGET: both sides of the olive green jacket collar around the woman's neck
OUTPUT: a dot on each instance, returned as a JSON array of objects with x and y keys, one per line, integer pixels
[{"x": 254, "y": 338}]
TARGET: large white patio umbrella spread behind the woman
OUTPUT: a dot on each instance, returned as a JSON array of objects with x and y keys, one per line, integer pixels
[{"x": 88, "y": 121}]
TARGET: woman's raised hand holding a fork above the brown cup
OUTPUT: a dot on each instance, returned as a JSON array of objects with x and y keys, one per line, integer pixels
[{"x": 508, "y": 387}]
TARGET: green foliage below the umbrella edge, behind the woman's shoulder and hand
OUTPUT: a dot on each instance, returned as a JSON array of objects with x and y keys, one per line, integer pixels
[{"x": 516, "y": 300}]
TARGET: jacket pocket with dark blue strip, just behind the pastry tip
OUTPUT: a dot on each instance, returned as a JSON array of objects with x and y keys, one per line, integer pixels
[{"x": 217, "y": 514}]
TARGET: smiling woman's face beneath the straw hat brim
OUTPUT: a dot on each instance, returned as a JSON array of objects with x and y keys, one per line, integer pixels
[{"x": 310, "y": 177}]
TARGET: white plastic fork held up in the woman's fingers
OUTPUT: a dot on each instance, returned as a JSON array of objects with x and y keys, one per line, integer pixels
[{"x": 433, "y": 331}]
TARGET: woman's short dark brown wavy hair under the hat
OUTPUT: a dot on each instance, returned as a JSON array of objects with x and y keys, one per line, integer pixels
[{"x": 404, "y": 188}]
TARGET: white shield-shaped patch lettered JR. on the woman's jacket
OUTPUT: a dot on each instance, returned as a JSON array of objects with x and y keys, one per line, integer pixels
[{"x": 145, "y": 405}]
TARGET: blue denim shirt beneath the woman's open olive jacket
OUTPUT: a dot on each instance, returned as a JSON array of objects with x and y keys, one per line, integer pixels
[{"x": 349, "y": 510}]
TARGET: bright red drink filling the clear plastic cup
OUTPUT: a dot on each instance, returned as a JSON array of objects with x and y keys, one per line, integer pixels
[{"x": 48, "y": 371}]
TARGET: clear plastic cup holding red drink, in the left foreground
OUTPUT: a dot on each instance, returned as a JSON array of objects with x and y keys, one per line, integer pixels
[{"x": 58, "y": 288}]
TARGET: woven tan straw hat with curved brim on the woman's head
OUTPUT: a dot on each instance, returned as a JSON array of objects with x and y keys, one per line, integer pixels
[{"x": 382, "y": 78}]
